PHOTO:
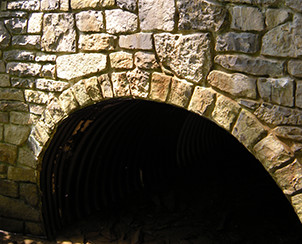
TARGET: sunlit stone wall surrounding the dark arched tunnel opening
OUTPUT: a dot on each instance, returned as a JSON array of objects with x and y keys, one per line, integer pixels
[{"x": 237, "y": 62}]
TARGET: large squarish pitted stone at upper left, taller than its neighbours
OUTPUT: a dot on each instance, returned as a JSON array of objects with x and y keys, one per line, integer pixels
[{"x": 58, "y": 33}]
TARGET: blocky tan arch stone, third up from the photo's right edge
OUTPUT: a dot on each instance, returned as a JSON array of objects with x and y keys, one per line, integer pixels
[{"x": 272, "y": 153}]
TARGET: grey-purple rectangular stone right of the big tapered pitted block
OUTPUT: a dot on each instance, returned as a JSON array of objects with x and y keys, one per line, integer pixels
[{"x": 237, "y": 42}]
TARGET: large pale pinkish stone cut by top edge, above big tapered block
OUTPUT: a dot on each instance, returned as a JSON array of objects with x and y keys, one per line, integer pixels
[{"x": 156, "y": 15}]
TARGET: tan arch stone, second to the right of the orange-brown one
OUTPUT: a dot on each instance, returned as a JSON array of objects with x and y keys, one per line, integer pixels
[{"x": 203, "y": 100}]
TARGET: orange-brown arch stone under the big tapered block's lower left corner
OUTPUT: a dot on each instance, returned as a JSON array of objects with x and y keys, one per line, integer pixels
[{"x": 160, "y": 84}]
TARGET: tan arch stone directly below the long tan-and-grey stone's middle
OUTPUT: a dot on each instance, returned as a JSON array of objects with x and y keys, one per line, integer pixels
[{"x": 225, "y": 112}]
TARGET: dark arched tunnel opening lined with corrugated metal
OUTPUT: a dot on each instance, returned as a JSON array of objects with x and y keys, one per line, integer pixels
[{"x": 156, "y": 162}]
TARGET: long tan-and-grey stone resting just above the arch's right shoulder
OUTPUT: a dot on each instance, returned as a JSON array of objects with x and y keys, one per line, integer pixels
[{"x": 238, "y": 85}]
